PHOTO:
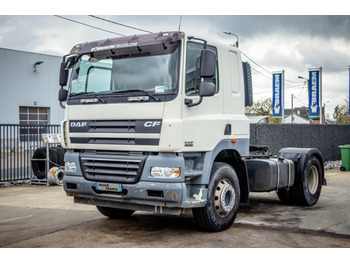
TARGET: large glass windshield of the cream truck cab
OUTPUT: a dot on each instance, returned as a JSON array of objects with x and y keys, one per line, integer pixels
[{"x": 153, "y": 74}]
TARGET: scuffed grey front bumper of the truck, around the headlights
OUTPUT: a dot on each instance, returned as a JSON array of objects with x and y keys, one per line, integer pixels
[{"x": 147, "y": 194}]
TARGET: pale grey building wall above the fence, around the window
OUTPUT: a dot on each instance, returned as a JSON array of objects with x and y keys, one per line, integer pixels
[{"x": 21, "y": 86}]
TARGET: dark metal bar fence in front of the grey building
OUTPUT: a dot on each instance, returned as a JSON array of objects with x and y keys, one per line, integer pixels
[{"x": 17, "y": 144}]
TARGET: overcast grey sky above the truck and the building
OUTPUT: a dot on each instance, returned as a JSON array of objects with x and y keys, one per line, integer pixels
[{"x": 270, "y": 43}]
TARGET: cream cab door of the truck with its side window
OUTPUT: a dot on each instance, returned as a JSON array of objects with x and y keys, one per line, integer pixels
[{"x": 203, "y": 124}]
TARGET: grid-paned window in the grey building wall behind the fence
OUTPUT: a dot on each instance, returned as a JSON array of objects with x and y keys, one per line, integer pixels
[{"x": 32, "y": 121}]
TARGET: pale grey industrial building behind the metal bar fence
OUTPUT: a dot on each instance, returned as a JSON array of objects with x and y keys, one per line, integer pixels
[{"x": 28, "y": 108}]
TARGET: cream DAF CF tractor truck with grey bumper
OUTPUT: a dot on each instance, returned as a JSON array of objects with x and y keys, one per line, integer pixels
[{"x": 156, "y": 122}]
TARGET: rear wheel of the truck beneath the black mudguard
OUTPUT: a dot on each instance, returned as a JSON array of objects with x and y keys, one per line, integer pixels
[{"x": 306, "y": 192}]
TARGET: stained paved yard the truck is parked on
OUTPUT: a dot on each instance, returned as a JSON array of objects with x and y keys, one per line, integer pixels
[{"x": 41, "y": 216}]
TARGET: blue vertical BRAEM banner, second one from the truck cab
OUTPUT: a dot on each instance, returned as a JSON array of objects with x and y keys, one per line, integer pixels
[{"x": 314, "y": 92}]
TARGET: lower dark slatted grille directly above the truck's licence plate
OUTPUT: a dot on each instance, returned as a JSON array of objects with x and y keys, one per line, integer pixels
[{"x": 125, "y": 169}]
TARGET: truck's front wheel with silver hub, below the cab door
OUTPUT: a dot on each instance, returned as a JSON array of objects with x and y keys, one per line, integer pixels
[{"x": 223, "y": 200}]
